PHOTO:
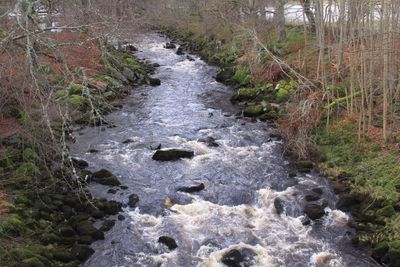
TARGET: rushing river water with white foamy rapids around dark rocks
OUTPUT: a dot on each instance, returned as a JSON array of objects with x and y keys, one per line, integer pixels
[{"x": 242, "y": 178}]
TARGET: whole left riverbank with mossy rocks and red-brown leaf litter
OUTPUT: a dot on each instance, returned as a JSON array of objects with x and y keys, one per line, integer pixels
[{"x": 47, "y": 216}]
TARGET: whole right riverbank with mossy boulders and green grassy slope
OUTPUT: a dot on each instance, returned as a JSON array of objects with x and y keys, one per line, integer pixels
[{"x": 364, "y": 173}]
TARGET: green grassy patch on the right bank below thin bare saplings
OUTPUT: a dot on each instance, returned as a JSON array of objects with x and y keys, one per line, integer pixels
[{"x": 371, "y": 171}]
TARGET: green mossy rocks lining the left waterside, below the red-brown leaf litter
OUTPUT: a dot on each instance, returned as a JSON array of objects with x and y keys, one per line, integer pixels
[{"x": 47, "y": 215}]
